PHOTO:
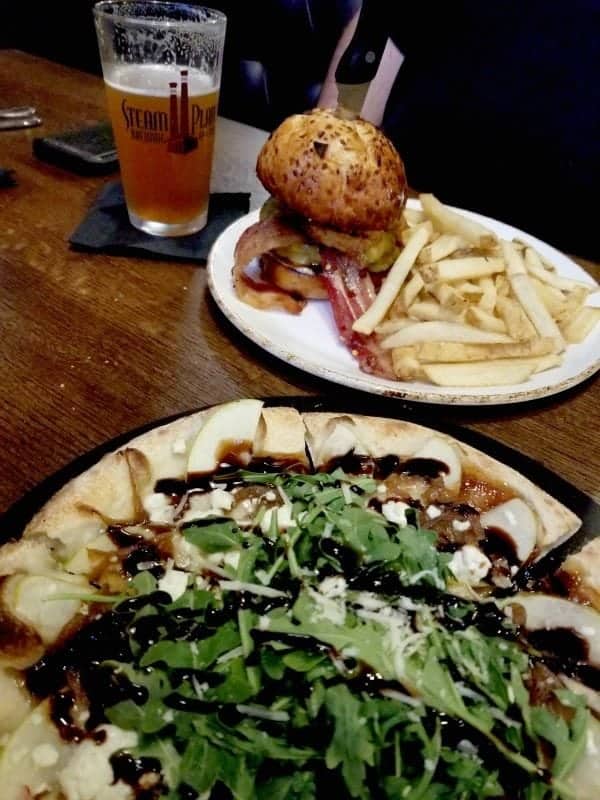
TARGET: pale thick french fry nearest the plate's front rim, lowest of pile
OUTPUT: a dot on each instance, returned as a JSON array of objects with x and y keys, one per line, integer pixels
[{"x": 480, "y": 373}]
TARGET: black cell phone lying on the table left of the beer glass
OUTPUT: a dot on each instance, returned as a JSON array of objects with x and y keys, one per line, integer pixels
[{"x": 87, "y": 151}]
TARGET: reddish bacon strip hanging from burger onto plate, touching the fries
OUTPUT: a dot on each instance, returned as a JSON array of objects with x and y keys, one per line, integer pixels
[{"x": 351, "y": 292}]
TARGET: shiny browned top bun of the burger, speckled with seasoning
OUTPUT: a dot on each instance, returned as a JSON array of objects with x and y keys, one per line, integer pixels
[{"x": 343, "y": 173}]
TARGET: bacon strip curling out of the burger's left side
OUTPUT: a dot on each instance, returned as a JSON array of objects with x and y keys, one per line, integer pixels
[{"x": 259, "y": 238}]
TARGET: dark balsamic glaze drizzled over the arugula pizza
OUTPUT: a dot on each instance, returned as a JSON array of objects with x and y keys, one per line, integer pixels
[{"x": 110, "y": 636}]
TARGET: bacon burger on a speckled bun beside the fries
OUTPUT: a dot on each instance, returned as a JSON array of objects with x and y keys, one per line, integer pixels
[{"x": 331, "y": 227}]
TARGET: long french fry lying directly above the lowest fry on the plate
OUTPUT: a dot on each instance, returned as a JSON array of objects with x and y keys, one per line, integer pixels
[{"x": 451, "y": 352}]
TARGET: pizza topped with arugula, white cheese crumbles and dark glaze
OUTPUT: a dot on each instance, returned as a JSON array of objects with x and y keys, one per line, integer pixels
[{"x": 253, "y": 602}]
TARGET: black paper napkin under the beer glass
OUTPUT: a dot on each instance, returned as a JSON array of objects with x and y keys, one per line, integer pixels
[{"x": 106, "y": 228}]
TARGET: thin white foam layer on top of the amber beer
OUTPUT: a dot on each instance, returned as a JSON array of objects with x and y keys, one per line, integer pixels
[{"x": 153, "y": 79}]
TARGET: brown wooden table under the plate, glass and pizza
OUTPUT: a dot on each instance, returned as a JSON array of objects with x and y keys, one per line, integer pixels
[{"x": 95, "y": 345}]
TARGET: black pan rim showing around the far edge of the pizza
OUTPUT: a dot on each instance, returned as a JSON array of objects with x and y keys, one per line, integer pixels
[{"x": 14, "y": 520}]
